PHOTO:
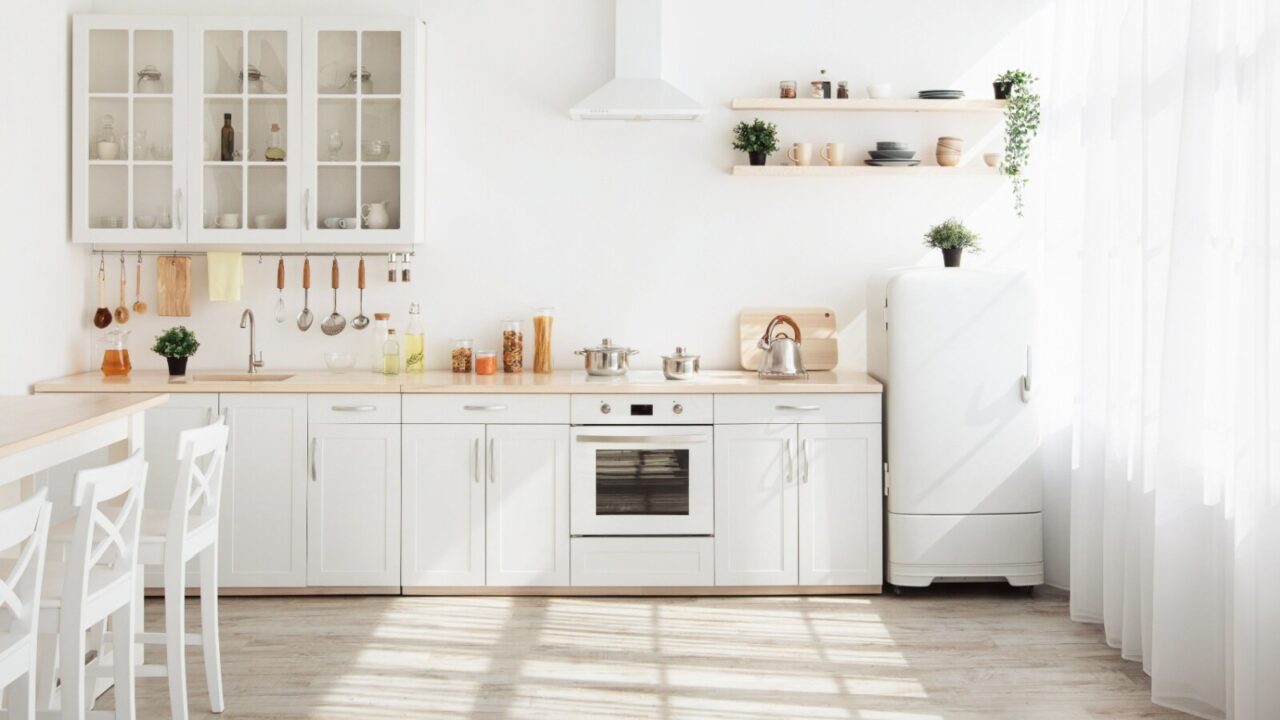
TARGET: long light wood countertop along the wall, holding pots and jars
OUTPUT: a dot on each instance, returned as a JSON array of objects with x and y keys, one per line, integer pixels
[{"x": 646, "y": 382}]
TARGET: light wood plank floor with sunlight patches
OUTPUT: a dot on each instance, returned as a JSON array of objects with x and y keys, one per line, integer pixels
[{"x": 953, "y": 654}]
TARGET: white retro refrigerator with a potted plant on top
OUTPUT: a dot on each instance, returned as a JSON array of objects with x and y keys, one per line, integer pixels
[{"x": 954, "y": 352}]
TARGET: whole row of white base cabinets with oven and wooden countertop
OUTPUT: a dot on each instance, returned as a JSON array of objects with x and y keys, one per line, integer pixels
[{"x": 441, "y": 484}]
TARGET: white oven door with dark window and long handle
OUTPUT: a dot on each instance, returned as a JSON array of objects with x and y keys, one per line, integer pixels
[{"x": 642, "y": 481}]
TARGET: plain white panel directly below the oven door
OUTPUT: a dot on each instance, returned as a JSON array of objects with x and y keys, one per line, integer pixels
[{"x": 632, "y": 562}]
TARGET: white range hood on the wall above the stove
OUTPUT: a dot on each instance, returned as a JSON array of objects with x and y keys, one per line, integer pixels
[{"x": 638, "y": 92}]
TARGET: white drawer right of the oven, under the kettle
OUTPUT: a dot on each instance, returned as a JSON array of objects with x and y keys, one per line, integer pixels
[{"x": 799, "y": 408}]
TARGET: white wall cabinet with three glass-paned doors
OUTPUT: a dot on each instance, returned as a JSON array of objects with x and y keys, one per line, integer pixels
[{"x": 150, "y": 95}]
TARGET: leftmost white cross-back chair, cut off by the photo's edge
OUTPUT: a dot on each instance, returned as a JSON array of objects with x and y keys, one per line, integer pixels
[{"x": 24, "y": 528}]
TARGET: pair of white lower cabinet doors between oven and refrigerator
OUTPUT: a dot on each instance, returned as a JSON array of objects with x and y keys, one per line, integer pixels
[{"x": 798, "y": 504}]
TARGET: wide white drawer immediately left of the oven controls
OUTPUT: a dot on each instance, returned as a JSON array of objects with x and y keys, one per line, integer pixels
[{"x": 486, "y": 408}]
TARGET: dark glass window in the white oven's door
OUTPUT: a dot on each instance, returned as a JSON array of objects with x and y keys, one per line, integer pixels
[{"x": 642, "y": 482}]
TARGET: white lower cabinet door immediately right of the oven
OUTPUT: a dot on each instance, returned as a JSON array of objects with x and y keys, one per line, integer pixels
[{"x": 756, "y": 505}]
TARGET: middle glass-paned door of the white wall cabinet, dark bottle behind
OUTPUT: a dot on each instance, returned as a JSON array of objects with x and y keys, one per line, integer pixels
[{"x": 246, "y": 130}]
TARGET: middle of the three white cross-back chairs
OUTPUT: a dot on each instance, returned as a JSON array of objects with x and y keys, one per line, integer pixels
[{"x": 97, "y": 582}]
